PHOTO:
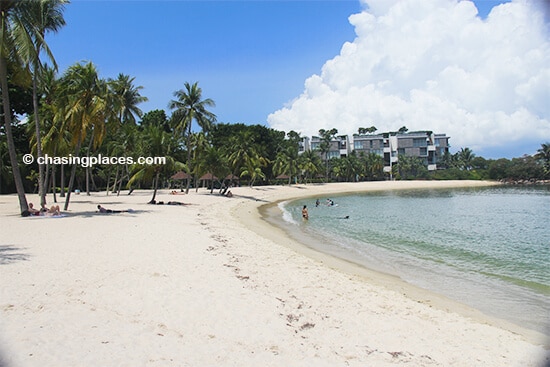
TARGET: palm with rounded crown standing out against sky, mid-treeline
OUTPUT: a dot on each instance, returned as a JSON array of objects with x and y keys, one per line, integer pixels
[{"x": 190, "y": 106}]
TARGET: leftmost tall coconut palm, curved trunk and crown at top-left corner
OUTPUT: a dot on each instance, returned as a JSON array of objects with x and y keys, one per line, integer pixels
[{"x": 15, "y": 43}]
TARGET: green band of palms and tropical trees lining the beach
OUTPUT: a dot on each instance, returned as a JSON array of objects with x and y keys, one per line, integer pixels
[{"x": 78, "y": 113}]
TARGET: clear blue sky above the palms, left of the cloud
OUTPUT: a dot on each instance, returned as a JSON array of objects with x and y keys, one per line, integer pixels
[{"x": 251, "y": 57}]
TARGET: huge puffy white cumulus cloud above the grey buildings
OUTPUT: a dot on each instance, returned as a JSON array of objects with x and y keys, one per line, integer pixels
[{"x": 435, "y": 65}]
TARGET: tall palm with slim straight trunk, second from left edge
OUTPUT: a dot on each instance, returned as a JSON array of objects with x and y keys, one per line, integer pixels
[{"x": 45, "y": 16}]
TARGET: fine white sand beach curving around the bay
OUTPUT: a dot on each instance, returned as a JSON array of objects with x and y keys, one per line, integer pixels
[{"x": 212, "y": 284}]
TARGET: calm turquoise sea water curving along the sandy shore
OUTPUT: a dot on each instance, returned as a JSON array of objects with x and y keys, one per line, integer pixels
[{"x": 486, "y": 247}]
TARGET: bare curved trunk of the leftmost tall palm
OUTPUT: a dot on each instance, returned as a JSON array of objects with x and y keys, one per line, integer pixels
[{"x": 23, "y": 205}]
